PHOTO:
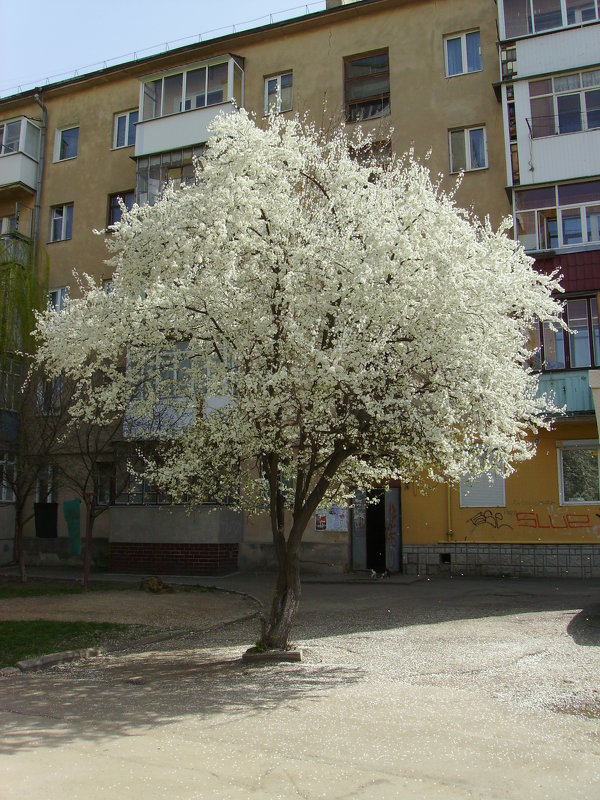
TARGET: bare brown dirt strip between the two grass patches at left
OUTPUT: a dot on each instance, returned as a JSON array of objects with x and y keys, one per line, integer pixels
[{"x": 189, "y": 610}]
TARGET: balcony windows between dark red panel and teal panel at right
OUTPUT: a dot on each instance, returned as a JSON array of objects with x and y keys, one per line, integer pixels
[{"x": 578, "y": 348}]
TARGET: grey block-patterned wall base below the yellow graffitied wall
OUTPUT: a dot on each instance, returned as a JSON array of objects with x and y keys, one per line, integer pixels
[{"x": 517, "y": 560}]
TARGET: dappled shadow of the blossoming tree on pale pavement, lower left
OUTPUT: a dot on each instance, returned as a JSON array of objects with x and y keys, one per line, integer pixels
[{"x": 125, "y": 696}]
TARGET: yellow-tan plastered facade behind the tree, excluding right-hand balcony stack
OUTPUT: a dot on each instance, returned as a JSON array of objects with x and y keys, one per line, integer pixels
[{"x": 438, "y": 87}]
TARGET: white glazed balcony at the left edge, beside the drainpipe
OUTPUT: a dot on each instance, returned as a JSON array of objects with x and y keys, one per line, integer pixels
[{"x": 19, "y": 154}]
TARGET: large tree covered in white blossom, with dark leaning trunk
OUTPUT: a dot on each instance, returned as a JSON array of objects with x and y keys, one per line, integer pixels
[{"x": 301, "y": 323}]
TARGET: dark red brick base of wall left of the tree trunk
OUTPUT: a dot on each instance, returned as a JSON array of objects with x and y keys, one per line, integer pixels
[{"x": 173, "y": 558}]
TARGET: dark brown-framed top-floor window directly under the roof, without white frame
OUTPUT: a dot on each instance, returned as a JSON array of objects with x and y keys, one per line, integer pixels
[{"x": 367, "y": 86}]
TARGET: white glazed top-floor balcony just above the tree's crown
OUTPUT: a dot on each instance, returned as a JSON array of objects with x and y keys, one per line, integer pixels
[{"x": 177, "y": 108}]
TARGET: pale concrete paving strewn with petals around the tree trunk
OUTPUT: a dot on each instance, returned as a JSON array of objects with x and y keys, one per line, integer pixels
[{"x": 447, "y": 688}]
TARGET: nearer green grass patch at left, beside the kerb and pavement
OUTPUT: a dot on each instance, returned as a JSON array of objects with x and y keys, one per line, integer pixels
[{"x": 33, "y": 638}]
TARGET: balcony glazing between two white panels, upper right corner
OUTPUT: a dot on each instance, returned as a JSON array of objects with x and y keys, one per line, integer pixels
[{"x": 565, "y": 104}]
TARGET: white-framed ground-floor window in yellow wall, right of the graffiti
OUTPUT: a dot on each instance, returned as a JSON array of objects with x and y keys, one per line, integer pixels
[{"x": 578, "y": 472}]
